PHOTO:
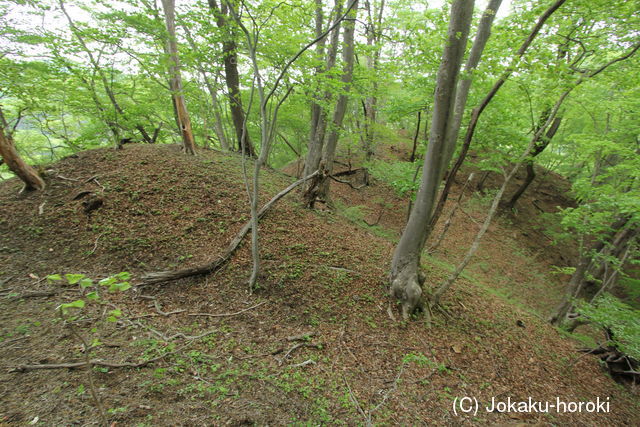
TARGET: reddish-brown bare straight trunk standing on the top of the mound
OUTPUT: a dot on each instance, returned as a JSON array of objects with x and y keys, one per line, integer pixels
[{"x": 175, "y": 82}]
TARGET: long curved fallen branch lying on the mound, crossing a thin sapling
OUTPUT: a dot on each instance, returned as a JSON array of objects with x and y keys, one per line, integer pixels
[{"x": 166, "y": 276}]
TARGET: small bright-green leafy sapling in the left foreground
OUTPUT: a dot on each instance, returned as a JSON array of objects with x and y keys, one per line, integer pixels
[{"x": 72, "y": 311}]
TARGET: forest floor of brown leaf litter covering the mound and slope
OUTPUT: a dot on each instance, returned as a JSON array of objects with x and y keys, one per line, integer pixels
[{"x": 324, "y": 277}]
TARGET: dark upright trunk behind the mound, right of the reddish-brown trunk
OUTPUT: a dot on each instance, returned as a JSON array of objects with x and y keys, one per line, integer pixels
[{"x": 232, "y": 78}]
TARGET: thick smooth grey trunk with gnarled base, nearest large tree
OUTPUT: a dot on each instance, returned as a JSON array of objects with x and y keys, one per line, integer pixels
[{"x": 406, "y": 282}]
